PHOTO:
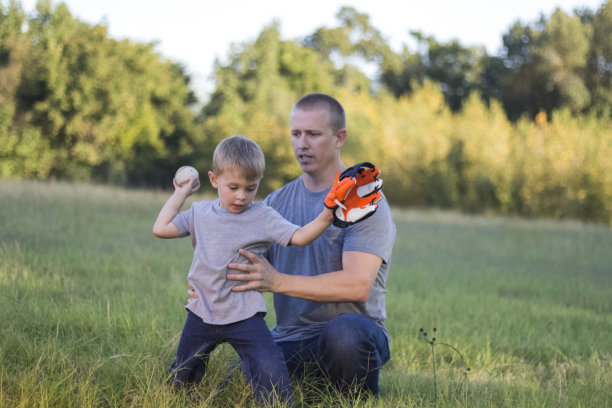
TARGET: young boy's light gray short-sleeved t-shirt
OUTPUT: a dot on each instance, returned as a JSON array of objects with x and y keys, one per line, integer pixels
[{"x": 216, "y": 236}]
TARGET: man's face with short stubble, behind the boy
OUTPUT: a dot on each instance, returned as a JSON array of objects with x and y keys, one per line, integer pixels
[{"x": 315, "y": 144}]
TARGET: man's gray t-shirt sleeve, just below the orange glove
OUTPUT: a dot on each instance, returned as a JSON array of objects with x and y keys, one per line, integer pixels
[{"x": 374, "y": 235}]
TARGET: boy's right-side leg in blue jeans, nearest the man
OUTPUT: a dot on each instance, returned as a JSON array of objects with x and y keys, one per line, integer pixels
[{"x": 262, "y": 360}]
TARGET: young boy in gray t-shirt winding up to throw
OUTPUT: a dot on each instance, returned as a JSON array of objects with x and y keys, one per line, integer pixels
[{"x": 218, "y": 229}]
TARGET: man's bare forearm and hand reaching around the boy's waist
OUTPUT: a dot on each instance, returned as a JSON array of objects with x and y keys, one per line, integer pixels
[{"x": 351, "y": 284}]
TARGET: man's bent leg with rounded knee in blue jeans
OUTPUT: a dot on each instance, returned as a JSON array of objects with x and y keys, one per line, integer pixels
[{"x": 352, "y": 350}]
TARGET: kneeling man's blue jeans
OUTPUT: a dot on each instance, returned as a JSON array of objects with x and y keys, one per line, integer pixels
[{"x": 350, "y": 351}]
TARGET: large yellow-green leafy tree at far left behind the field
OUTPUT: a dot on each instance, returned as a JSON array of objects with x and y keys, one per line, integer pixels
[{"x": 101, "y": 108}]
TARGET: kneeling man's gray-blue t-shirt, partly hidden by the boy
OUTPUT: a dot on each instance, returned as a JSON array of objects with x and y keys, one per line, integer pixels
[{"x": 298, "y": 319}]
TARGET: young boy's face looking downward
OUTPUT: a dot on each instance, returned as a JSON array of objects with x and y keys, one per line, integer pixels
[{"x": 235, "y": 191}]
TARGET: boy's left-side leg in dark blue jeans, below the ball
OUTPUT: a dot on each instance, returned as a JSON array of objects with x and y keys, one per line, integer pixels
[{"x": 195, "y": 346}]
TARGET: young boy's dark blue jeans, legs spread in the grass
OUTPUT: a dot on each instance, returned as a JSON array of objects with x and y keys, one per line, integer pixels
[{"x": 262, "y": 361}]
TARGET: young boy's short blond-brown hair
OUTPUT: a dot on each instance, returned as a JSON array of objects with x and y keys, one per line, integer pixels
[{"x": 239, "y": 153}]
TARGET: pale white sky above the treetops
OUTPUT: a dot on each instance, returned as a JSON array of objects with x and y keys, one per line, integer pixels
[{"x": 195, "y": 32}]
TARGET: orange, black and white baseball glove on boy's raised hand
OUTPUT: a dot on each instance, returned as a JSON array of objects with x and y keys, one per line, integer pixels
[{"x": 355, "y": 194}]
